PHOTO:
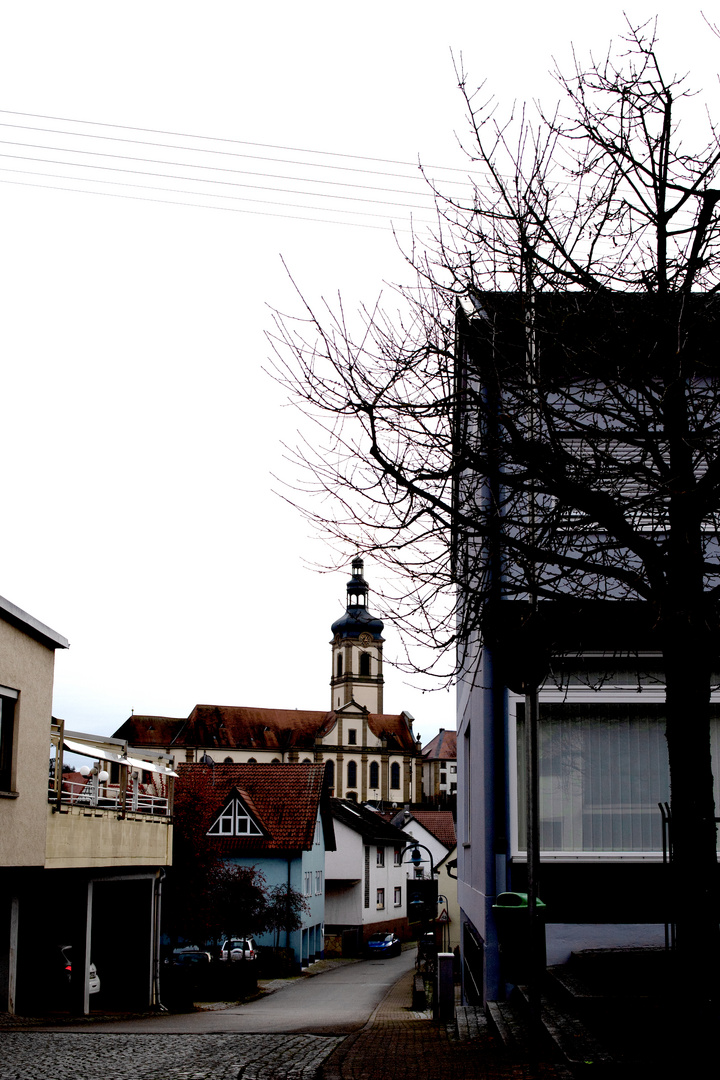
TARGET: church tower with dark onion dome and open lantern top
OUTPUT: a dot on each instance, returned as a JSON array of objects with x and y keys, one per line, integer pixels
[{"x": 358, "y": 651}]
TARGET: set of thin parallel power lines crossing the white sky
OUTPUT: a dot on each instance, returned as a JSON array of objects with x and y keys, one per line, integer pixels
[{"x": 345, "y": 190}]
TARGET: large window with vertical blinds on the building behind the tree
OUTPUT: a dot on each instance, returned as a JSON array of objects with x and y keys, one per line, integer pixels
[{"x": 603, "y": 772}]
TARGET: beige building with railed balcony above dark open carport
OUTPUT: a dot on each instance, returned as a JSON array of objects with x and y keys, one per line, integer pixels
[{"x": 83, "y": 857}]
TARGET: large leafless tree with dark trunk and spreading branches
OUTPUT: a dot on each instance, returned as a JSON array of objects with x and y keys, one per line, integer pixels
[{"x": 574, "y": 452}]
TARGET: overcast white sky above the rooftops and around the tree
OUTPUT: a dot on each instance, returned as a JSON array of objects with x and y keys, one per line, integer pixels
[{"x": 140, "y": 430}]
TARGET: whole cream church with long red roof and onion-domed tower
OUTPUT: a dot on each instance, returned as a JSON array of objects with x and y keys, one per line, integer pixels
[{"x": 371, "y": 755}]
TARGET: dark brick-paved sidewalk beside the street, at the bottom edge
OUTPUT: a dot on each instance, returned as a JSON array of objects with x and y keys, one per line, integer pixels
[{"x": 403, "y": 1045}]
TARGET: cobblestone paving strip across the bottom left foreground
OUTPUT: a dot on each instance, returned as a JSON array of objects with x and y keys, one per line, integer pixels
[{"x": 44, "y": 1056}]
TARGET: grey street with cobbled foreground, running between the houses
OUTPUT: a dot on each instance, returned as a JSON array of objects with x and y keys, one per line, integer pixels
[{"x": 284, "y": 1035}]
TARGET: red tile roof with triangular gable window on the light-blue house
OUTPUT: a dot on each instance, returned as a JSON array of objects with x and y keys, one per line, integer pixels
[{"x": 284, "y": 799}]
